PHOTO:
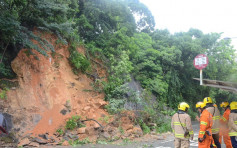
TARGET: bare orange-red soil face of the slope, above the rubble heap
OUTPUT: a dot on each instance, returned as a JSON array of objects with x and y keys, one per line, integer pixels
[{"x": 47, "y": 86}]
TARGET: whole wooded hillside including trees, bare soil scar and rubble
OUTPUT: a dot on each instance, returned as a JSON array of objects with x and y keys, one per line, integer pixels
[{"x": 98, "y": 59}]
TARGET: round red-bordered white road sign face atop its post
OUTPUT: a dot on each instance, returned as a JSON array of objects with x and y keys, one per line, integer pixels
[{"x": 200, "y": 61}]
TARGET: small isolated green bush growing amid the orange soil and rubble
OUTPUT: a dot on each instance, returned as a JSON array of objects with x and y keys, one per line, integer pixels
[{"x": 73, "y": 123}]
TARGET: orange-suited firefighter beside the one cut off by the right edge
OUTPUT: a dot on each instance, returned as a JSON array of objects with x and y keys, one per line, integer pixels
[{"x": 224, "y": 130}]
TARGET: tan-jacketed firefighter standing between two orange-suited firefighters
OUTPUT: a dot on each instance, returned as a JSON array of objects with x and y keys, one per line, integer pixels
[{"x": 214, "y": 111}]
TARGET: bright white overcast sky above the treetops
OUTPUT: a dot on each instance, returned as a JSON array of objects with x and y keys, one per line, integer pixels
[{"x": 206, "y": 15}]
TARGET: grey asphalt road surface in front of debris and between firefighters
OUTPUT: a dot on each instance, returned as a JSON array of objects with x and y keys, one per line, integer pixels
[{"x": 166, "y": 143}]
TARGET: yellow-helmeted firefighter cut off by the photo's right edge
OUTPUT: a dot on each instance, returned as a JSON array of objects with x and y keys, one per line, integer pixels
[{"x": 233, "y": 124}]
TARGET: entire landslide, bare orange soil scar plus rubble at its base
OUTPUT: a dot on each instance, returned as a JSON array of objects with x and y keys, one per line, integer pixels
[{"x": 48, "y": 94}]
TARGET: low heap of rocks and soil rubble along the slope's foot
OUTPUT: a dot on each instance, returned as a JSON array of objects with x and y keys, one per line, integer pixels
[{"x": 120, "y": 126}]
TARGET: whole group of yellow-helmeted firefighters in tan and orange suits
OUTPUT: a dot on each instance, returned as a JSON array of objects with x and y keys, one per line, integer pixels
[{"x": 213, "y": 127}]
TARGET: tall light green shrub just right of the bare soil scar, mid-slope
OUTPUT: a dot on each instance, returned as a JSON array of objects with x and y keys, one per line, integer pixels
[{"x": 116, "y": 90}]
